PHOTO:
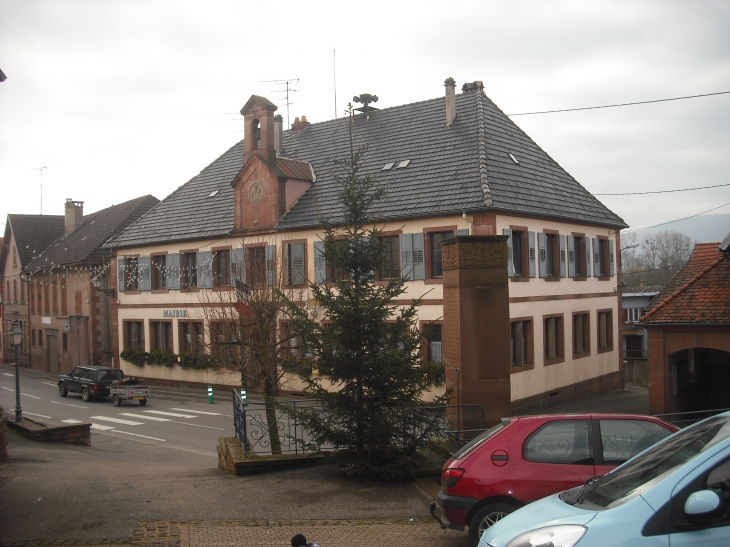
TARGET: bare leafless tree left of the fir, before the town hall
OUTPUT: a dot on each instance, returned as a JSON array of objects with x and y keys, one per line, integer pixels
[{"x": 248, "y": 333}]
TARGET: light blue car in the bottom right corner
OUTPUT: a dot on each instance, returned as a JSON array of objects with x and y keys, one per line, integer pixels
[{"x": 676, "y": 493}]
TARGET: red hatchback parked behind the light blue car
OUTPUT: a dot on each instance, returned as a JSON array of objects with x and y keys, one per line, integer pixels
[{"x": 527, "y": 458}]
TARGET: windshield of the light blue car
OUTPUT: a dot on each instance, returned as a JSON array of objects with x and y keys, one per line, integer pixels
[{"x": 640, "y": 474}]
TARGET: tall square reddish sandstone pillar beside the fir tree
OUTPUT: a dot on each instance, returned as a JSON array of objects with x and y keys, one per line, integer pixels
[{"x": 476, "y": 327}]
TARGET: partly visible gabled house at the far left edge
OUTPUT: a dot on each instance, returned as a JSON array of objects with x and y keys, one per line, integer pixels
[{"x": 26, "y": 236}]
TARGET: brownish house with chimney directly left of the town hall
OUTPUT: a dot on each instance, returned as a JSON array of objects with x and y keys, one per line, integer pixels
[{"x": 69, "y": 316}]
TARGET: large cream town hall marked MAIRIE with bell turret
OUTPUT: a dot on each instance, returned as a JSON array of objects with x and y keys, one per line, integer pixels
[{"x": 454, "y": 165}]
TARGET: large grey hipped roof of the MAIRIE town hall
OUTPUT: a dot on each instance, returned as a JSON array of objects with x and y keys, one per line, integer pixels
[{"x": 464, "y": 167}]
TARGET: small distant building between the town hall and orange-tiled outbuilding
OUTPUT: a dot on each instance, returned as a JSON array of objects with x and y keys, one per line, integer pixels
[{"x": 634, "y": 301}]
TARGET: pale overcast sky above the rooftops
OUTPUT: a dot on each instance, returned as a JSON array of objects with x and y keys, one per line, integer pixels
[{"x": 121, "y": 98}]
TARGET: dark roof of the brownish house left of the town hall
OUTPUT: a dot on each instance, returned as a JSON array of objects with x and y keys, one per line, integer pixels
[{"x": 85, "y": 243}]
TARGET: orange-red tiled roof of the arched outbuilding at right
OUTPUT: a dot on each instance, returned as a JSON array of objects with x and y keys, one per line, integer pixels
[{"x": 699, "y": 293}]
